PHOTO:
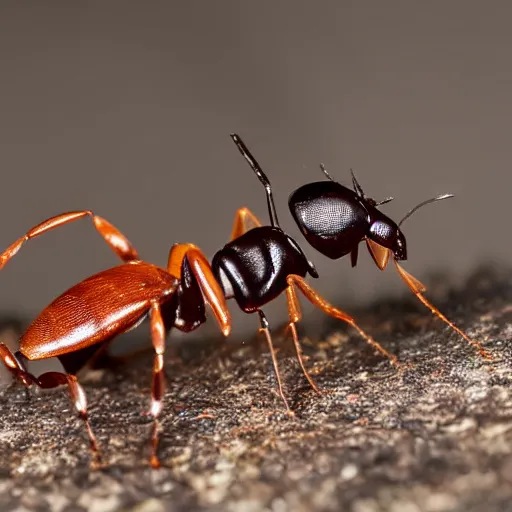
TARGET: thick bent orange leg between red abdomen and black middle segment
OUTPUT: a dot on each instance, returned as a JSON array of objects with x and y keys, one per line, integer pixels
[{"x": 203, "y": 273}]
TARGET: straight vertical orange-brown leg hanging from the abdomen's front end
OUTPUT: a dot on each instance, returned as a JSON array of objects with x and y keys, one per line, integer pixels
[{"x": 158, "y": 386}]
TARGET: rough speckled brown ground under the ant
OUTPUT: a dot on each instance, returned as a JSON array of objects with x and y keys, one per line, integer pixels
[{"x": 434, "y": 437}]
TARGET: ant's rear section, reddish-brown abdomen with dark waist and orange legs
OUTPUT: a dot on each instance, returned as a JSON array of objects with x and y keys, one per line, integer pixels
[{"x": 81, "y": 322}]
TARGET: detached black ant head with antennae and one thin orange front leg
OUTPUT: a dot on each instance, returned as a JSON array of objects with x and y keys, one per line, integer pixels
[{"x": 335, "y": 219}]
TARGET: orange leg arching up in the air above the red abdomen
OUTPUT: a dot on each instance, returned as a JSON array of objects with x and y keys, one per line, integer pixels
[{"x": 114, "y": 238}]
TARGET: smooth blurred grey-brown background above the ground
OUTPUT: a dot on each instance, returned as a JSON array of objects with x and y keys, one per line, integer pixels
[{"x": 126, "y": 107}]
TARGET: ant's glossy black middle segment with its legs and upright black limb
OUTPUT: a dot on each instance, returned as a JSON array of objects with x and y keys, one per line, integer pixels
[{"x": 261, "y": 262}]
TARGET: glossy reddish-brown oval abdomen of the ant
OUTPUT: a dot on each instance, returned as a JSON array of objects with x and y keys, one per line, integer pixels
[{"x": 96, "y": 309}]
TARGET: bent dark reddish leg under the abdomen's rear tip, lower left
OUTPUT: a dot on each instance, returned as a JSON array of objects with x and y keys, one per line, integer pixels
[{"x": 51, "y": 380}]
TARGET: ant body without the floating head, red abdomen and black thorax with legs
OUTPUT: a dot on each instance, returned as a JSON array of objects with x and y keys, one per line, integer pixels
[{"x": 257, "y": 265}]
